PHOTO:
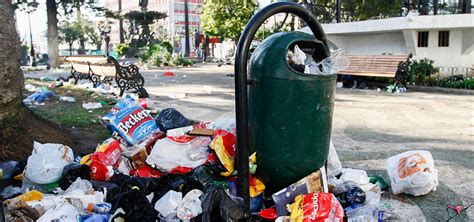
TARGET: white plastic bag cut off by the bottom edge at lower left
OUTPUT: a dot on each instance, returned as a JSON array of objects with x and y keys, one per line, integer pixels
[{"x": 63, "y": 212}]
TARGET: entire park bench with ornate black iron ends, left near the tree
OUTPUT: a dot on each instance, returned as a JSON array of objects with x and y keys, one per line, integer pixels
[{"x": 101, "y": 69}]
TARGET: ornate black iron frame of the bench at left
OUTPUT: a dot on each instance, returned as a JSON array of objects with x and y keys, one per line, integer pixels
[{"x": 126, "y": 77}]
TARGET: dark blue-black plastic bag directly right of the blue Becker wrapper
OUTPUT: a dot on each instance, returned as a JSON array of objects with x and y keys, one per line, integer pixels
[{"x": 171, "y": 118}]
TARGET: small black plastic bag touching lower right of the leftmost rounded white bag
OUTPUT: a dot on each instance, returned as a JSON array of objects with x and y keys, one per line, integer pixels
[{"x": 73, "y": 171}]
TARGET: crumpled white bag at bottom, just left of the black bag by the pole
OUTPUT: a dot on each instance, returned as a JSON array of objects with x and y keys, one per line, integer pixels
[{"x": 190, "y": 206}]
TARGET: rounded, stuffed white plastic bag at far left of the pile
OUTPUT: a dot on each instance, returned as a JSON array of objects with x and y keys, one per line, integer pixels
[{"x": 47, "y": 161}]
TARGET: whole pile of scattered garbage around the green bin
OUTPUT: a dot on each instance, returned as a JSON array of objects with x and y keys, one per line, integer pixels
[{"x": 167, "y": 168}]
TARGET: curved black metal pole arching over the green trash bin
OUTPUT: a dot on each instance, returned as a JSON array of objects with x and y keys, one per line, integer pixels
[{"x": 242, "y": 55}]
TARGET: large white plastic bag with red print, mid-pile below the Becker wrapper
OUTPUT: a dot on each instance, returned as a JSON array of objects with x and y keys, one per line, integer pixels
[{"x": 184, "y": 151}]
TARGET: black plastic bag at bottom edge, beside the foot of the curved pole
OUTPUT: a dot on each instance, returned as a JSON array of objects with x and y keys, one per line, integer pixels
[{"x": 218, "y": 206}]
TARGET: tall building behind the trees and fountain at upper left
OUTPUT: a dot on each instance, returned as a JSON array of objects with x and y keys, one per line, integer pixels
[{"x": 172, "y": 27}]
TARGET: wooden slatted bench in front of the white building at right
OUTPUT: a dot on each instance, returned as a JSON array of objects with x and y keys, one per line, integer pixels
[{"x": 389, "y": 66}]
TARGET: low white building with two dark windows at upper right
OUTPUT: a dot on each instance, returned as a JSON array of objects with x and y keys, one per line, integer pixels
[{"x": 446, "y": 39}]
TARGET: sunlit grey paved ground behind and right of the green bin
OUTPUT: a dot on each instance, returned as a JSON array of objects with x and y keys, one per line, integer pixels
[{"x": 368, "y": 128}]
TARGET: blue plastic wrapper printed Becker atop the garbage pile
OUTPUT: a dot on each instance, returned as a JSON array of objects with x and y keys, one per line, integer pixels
[{"x": 130, "y": 120}]
